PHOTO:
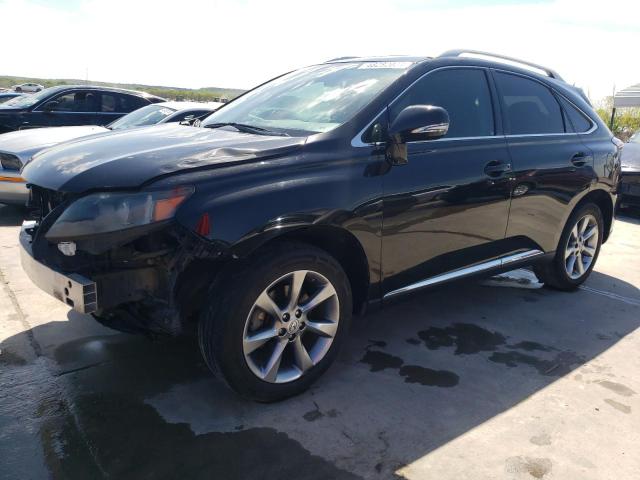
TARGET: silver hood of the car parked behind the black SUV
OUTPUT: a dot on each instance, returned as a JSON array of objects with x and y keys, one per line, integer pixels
[{"x": 25, "y": 143}]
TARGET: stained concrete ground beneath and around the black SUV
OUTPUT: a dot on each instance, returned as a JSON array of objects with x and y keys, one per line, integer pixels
[{"x": 499, "y": 379}]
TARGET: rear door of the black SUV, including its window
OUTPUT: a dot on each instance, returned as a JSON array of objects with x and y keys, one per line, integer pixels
[{"x": 551, "y": 164}]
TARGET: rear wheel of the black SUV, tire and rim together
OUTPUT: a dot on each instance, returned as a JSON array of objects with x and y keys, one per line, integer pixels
[{"x": 556, "y": 273}]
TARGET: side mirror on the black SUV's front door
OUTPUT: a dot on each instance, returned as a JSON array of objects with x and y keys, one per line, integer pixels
[{"x": 419, "y": 122}]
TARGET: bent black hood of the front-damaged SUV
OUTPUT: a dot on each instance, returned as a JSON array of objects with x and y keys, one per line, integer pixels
[{"x": 129, "y": 158}]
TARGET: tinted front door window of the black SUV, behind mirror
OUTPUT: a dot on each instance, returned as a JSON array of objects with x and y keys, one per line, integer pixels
[{"x": 463, "y": 93}]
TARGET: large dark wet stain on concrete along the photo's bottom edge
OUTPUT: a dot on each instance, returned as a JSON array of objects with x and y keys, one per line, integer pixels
[{"x": 148, "y": 447}]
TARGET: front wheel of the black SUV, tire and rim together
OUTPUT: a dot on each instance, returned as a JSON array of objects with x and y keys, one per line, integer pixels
[{"x": 233, "y": 317}]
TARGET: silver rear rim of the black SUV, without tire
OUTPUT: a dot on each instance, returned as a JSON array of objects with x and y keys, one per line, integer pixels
[{"x": 581, "y": 247}]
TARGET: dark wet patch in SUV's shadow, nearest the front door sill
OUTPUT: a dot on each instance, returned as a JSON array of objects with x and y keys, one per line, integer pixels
[{"x": 467, "y": 338}]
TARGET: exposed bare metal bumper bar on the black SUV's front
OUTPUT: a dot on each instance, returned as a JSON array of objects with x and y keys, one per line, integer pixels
[{"x": 77, "y": 291}]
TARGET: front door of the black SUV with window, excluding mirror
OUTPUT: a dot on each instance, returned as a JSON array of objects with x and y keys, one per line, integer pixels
[{"x": 447, "y": 208}]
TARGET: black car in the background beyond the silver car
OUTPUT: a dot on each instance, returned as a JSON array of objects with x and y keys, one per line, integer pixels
[{"x": 71, "y": 105}]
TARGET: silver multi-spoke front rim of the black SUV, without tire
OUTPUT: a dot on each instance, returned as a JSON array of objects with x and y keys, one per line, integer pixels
[{"x": 291, "y": 326}]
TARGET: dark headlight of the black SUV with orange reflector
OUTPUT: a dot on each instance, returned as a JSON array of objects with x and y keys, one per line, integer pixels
[{"x": 109, "y": 212}]
